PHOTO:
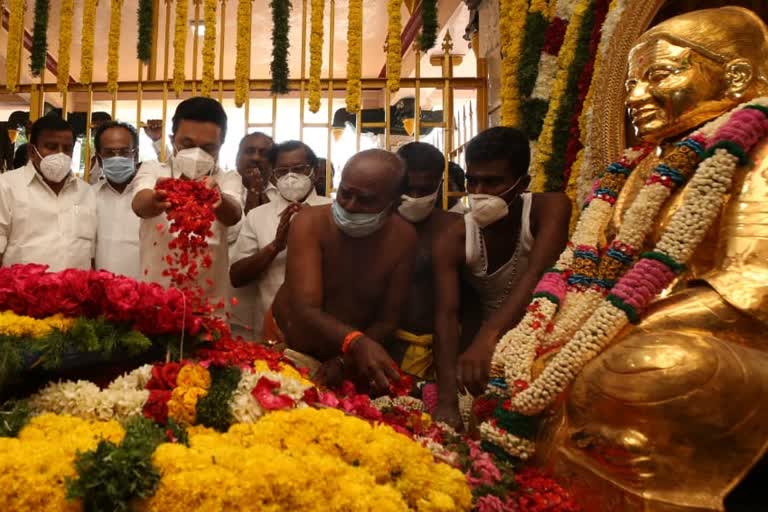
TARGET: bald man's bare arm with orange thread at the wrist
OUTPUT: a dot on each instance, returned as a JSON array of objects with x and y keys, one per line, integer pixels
[{"x": 304, "y": 281}]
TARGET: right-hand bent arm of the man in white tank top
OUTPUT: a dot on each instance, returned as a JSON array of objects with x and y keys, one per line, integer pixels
[{"x": 549, "y": 225}]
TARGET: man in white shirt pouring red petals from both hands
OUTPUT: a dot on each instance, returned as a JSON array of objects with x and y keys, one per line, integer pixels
[{"x": 199, "y": 127}]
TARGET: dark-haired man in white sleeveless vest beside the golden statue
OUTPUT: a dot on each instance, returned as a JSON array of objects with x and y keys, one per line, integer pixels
[{"x": 508, "y": 239}]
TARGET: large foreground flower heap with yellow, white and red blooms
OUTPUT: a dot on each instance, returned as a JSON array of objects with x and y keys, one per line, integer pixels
[{"x": 243, "y": 402}]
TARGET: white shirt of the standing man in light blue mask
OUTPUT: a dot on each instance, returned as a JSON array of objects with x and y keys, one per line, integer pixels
[{"x": 117, "y": 236}]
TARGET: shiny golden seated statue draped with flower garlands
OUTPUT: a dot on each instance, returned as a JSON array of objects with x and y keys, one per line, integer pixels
[{"x": 674, "y": 413}]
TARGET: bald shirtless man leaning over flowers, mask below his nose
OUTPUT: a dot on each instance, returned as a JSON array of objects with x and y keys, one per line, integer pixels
[{"x": 347, "y": 275}]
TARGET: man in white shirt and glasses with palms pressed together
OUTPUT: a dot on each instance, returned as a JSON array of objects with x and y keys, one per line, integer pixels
[{"x": 259, "y": 256}]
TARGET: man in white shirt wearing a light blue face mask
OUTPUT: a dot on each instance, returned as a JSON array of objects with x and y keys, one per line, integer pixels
[{"x": 117, "y": 236}]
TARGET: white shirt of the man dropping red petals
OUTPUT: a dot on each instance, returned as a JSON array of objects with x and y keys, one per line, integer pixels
[{"x": 154, "y": 235}]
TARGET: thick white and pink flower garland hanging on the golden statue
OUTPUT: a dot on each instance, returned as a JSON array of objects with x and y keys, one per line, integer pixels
[{"x": 591, "y": 294}]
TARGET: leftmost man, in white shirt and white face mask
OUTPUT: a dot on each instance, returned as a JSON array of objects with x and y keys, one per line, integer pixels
[{"x": 47, "y": 215}]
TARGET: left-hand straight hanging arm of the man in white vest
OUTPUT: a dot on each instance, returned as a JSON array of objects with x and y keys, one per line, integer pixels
[{"x": 447, "y": 258}]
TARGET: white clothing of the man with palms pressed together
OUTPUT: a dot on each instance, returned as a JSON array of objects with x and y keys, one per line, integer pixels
[{"x": 258, "y": 231}]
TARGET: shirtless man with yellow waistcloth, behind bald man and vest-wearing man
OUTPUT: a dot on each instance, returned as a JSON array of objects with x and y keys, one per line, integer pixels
[{"x": 424, "y": 167}]
